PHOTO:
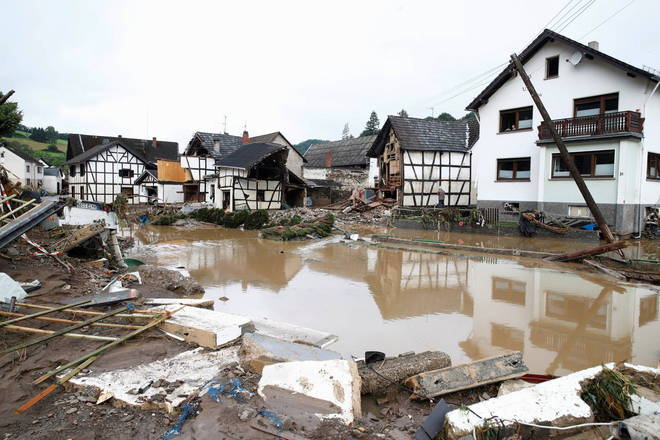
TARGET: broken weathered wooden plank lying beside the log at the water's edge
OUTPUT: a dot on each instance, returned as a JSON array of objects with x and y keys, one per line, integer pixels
[{"x": 466, "y": 376}]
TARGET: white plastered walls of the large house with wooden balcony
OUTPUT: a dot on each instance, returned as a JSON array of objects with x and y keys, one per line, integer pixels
[{"x": 588, "y": 78}]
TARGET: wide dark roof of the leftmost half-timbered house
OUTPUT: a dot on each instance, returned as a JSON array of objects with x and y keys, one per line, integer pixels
[{"x": 79, "y": 144}]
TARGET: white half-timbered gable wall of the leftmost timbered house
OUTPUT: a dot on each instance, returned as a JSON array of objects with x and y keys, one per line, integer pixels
[{"x": 101, "y": 180}]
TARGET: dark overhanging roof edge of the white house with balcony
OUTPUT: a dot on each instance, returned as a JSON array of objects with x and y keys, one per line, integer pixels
[{"x": 549, "y": 36}]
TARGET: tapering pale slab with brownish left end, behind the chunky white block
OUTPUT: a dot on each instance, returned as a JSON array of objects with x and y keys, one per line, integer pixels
[{"x": 260, "y": 350}]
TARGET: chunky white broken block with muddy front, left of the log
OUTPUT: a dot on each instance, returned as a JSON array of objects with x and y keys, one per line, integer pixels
[{"x": 310, "y": 391}]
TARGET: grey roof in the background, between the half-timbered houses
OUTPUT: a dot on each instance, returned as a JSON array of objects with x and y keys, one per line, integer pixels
[{"x": 349, "y": 152}]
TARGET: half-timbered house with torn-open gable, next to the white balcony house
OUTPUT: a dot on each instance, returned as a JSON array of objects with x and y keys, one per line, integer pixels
[{"x": 425, "y": 162}]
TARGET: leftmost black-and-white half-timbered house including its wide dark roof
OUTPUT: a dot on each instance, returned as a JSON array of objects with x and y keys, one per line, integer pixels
[{"x": 101, "y": 167}]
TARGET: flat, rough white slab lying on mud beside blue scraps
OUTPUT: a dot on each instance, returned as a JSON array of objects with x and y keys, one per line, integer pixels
[{"x": 189, "y": 370}]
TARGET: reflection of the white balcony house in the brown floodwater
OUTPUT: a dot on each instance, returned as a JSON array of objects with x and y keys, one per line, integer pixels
[{"x": 563, "y": 322}]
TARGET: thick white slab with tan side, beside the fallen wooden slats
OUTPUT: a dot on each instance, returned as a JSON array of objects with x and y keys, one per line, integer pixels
[{"x": 206, "y": 327}]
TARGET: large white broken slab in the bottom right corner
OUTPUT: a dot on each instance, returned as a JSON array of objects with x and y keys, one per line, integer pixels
[{"x": 556, "y": 402}]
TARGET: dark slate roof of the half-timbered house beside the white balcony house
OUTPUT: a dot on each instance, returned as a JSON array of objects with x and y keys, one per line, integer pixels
[{"x": 427, "y": 134}]
